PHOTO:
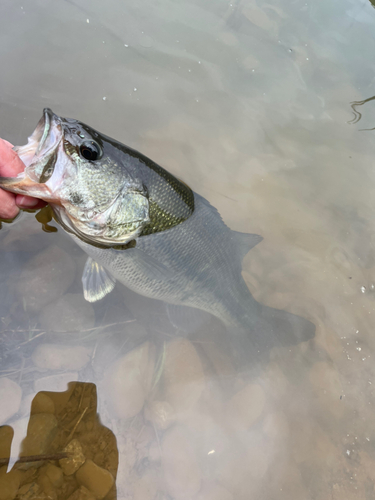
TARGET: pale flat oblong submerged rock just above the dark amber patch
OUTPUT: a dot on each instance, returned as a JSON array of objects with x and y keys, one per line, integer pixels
[{"x": 61, "y": 357}]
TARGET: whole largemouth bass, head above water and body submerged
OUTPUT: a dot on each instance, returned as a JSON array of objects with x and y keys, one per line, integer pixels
[{"x": 145, "y": 228}]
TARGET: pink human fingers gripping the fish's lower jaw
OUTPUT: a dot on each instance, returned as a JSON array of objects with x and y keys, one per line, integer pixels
[{"x": 10, "y": 166}]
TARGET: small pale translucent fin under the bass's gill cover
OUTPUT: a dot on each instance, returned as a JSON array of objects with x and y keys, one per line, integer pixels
[{"x": 97, "y": 282}]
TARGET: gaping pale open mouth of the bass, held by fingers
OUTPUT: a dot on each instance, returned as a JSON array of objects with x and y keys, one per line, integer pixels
[{"x": 38, "y": 154}]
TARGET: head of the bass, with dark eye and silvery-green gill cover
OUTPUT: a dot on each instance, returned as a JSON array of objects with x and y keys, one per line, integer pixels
[{"x": 93, "y": 192}]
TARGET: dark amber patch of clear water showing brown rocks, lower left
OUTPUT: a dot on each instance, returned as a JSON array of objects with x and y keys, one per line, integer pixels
[{"x": 66, "y": 451}]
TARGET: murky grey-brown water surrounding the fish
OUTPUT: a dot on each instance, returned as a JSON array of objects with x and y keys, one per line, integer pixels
[{"x": 248, "y": 102}]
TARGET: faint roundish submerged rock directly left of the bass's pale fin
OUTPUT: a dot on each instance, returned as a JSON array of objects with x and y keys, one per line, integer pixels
[{"x": 45, "y": 278}]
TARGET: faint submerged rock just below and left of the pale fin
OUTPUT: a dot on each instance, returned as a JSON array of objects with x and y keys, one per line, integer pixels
[{"x": 69, "y": 313}]
